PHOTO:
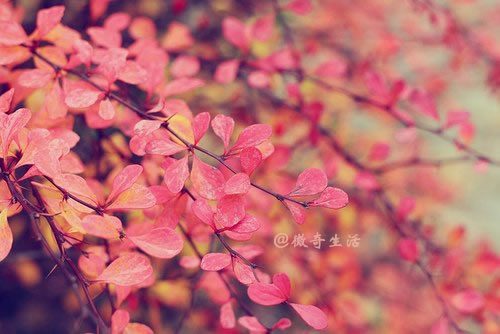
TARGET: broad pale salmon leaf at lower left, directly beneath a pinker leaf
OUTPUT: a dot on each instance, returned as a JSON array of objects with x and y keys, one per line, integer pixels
[{"x": 128, "y": 269}]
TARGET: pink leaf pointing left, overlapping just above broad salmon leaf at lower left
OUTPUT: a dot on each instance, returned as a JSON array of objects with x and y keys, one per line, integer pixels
[{"x": 161, "y": 242}]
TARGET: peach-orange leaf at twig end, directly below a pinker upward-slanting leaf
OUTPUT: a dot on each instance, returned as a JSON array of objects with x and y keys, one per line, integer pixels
[{"x": 136, "y": 197}]
